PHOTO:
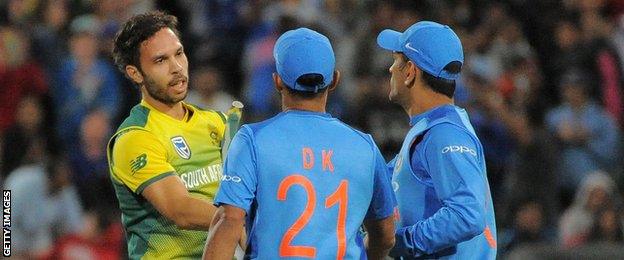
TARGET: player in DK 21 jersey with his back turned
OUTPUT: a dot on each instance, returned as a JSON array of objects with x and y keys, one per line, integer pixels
[{"x": 303, "y": 181}]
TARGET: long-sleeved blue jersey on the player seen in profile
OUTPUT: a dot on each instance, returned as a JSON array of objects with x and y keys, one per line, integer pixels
[{"x": 440, "y": 182}]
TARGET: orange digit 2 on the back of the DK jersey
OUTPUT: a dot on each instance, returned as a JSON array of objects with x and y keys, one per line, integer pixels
[{"x": 286, "y": 250}]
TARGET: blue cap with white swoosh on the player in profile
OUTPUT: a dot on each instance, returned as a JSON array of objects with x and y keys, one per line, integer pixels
[{"x": 430, "y": 45}]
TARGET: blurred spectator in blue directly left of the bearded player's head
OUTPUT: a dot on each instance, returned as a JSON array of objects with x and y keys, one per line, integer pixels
[{"x": 85, "y": 82}]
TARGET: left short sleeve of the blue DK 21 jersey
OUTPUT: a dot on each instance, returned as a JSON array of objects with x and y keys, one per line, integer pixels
[{"x": 238, "y": 184}]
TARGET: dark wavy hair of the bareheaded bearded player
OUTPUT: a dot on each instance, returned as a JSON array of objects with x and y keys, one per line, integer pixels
[{"x": 135, "y": 31}]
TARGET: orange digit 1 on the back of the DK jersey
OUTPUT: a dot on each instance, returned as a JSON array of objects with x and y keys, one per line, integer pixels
[{"x": 341, "y": 197}]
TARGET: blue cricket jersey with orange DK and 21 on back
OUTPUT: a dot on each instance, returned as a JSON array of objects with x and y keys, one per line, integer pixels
[{"x": 307, "y": 181}]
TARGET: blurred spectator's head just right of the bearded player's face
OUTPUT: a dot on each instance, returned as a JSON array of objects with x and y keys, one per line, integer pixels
[{"x": 207, "y": 90}]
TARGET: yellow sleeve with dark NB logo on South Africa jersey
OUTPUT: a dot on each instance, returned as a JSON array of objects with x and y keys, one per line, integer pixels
[{"x": 139, "y": 159}]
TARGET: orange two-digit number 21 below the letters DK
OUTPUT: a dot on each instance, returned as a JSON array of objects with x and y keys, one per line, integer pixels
[{"x": 338, "y": 197}]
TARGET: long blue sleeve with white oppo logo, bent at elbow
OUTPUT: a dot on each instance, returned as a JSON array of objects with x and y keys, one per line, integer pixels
[{"x": 451, "y": 157}]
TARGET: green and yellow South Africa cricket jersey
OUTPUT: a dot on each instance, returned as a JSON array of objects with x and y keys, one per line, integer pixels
[{"x": 150, "y": 145}]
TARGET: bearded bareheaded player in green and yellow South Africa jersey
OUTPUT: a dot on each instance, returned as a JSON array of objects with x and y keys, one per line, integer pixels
[{"x": 165, "y": 158}]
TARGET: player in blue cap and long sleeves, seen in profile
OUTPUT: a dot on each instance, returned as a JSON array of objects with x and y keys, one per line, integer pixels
[{"x": 440, "y": 180}]
